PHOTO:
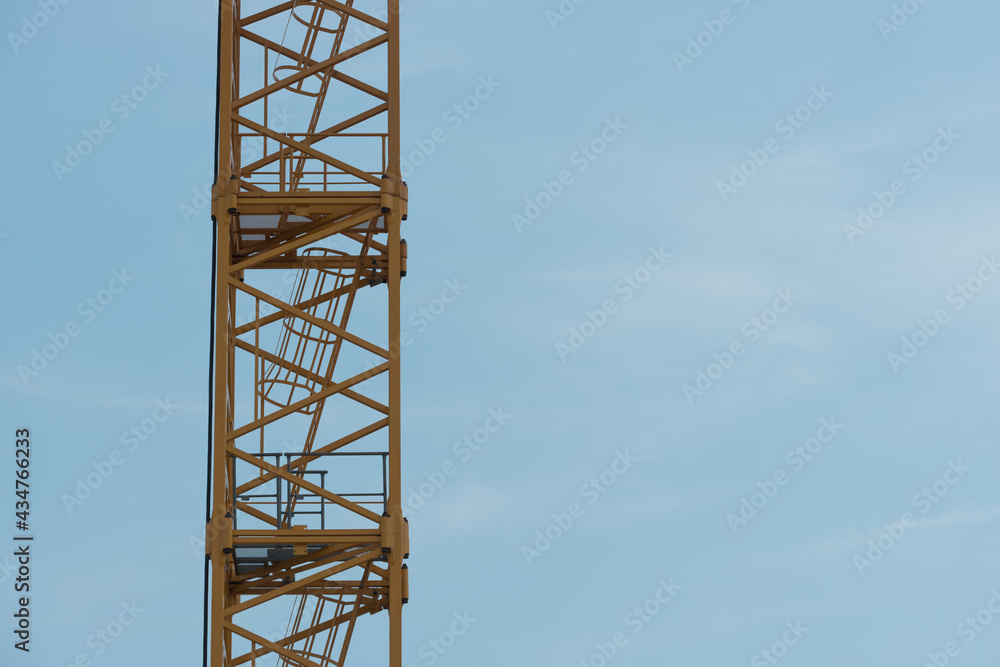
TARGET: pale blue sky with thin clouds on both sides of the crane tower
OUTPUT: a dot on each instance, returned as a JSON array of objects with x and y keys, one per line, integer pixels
[{"x": 662, "y": 138}]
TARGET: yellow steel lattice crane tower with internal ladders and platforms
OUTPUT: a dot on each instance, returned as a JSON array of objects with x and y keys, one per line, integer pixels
[{"x": 304, "y": 516}]
